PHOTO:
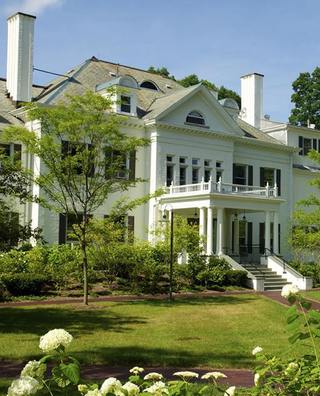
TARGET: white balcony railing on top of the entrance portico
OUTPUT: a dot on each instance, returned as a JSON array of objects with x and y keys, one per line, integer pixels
[{"x": 223, "y": 188}]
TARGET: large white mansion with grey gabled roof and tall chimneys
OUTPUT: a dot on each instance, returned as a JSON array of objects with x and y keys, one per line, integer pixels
[{"x": 234, "y": 170}]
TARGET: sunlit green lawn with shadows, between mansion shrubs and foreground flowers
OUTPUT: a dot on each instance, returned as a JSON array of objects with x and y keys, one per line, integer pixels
[{"x": 210, "y": 332}]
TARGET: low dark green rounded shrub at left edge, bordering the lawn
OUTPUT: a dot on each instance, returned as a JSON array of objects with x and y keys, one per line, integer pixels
[{"x": 24, "y": 284}]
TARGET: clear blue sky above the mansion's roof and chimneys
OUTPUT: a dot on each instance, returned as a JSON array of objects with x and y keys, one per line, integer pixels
[{"x": 218, "y": 40}]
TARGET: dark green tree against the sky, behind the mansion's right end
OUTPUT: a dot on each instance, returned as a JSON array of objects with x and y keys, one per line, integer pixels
[{"x": 306, "y": 99}]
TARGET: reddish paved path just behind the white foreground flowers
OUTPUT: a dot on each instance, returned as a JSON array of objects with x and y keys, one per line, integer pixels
[{"x": 234, "y": 377}]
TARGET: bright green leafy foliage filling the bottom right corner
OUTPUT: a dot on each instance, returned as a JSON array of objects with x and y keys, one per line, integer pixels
[{"x": 282, "y": 377}]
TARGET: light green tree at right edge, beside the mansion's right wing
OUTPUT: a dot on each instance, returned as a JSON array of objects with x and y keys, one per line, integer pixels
[{"x": 306, "y": 222}]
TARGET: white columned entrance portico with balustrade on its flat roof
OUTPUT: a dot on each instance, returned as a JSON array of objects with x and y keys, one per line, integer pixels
[{"x": 220, "y": 212}]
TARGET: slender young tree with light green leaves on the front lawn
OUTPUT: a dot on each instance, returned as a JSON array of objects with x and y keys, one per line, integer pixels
[{"x": 83, "y": 154}]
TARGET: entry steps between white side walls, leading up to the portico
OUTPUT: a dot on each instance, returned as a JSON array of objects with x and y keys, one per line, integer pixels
[{"x": 272, "y": 281}]
